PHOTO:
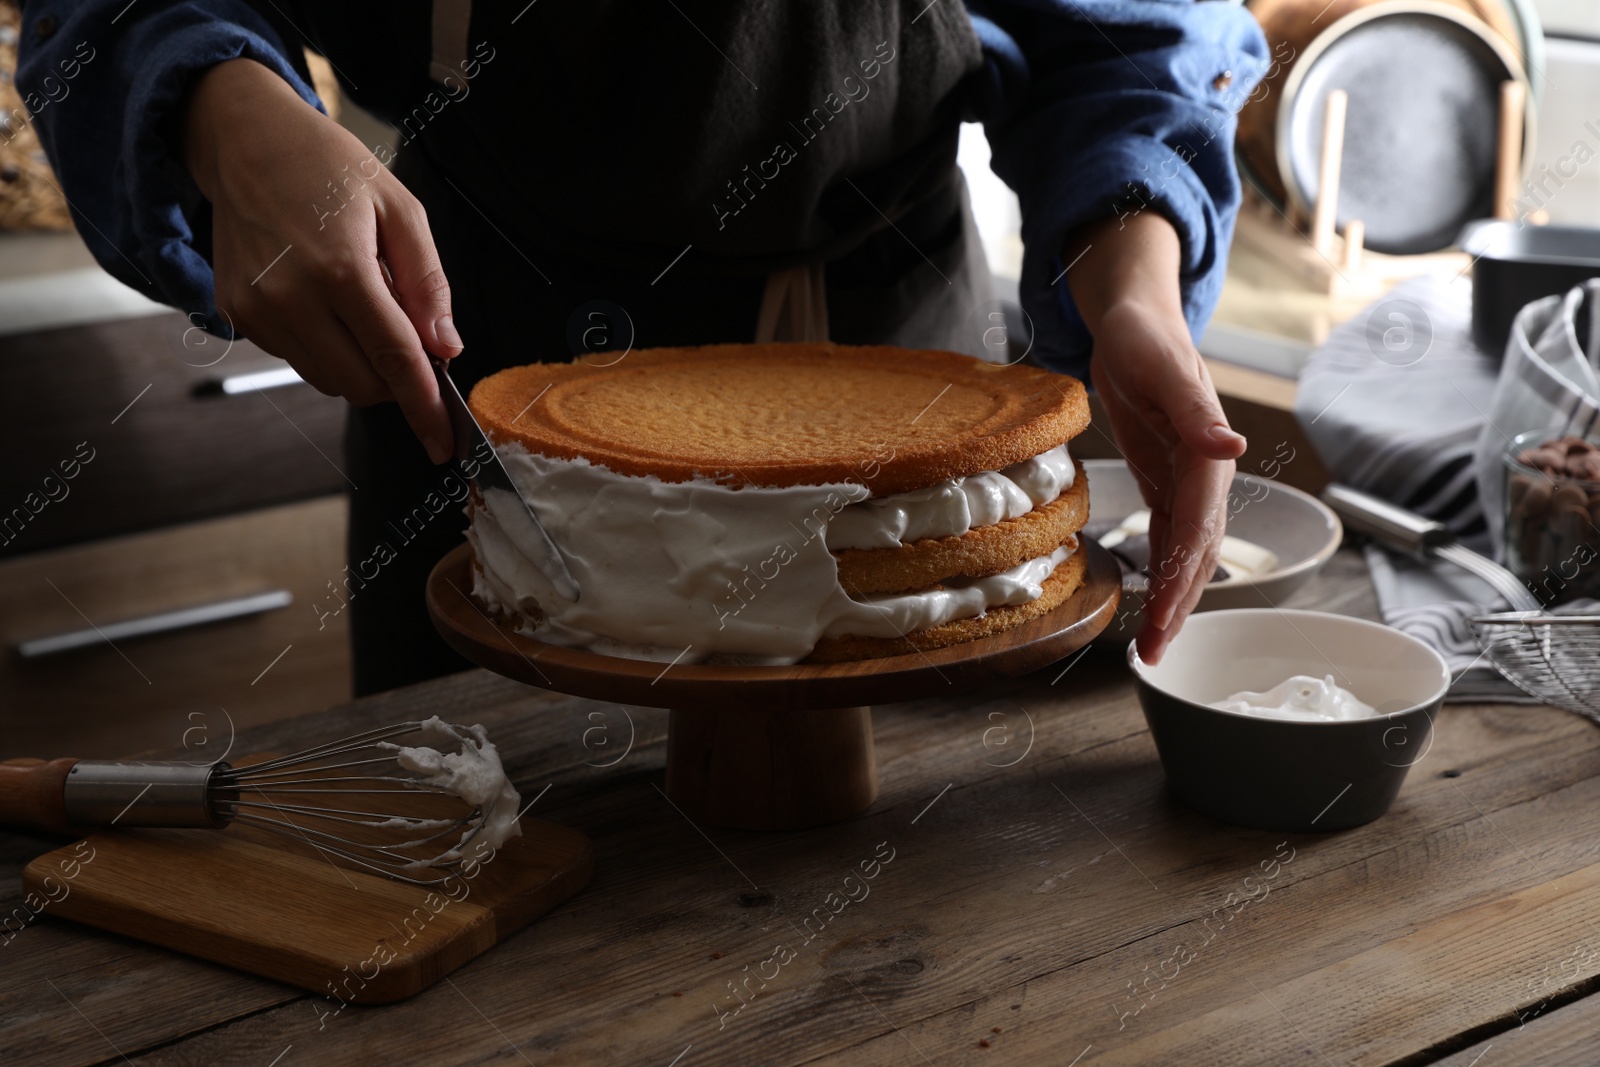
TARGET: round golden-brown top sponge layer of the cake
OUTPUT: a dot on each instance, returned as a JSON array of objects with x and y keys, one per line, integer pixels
[{"x": 785, "y": 415}]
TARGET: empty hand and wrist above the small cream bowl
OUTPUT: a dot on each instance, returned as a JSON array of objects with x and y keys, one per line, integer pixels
[{"x": 1162, "y": 406}]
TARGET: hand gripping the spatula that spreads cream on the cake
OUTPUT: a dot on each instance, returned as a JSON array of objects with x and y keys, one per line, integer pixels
[{"x": 303, "y": 276}]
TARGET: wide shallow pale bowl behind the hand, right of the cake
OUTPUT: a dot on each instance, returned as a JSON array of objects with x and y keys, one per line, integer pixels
[{"x": 1294, "y": 526}]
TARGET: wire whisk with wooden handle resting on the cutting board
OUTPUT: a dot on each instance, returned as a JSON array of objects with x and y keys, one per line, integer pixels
[{"x": 348, "y": 799}]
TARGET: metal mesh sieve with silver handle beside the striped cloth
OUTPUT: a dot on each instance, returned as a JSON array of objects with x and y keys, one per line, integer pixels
[{"x": 1553, "y": 658}]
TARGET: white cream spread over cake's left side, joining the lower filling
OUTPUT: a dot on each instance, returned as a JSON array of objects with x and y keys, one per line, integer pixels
[{"x": 697, "y": 569}]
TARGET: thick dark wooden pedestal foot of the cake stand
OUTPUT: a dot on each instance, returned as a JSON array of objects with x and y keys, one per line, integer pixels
[{"x": 766, "y": 770}]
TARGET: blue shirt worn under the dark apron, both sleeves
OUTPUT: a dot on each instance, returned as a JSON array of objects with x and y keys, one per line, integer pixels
[{"x": 1094, "y": 110}]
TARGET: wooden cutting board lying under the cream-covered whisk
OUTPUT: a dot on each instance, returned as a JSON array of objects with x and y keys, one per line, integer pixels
[{"x": 281, "y": 909}]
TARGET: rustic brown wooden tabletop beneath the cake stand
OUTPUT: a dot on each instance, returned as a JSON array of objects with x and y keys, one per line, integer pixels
[{"x": 1034, "y": 898}]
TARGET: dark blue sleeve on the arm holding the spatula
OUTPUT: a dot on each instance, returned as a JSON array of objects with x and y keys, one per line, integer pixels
[{"x": 105, "y": 82}]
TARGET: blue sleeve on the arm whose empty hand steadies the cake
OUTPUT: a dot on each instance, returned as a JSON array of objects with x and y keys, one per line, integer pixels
[{"x": 1100, "y": 110}]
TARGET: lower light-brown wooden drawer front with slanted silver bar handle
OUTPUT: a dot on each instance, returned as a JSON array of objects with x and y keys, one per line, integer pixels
[{"x": 188, "y": 687}]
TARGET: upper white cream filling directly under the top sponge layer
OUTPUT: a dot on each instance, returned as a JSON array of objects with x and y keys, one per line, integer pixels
[{"x": 956, "y": 506}]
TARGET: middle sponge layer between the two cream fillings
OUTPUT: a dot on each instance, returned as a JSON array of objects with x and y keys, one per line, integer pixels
[{"x": 982, "y": 551}]
